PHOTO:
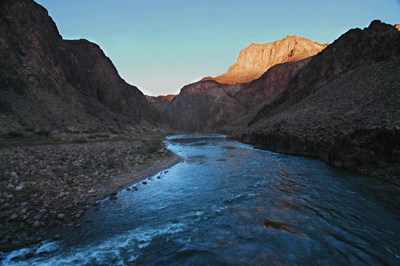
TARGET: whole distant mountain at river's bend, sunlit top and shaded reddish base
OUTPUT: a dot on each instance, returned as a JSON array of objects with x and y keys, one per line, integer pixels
[{"x": 210, "y": 104}]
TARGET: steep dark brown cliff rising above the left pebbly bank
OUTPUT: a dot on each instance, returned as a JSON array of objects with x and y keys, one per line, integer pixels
[{"x": 54, "y": 83}]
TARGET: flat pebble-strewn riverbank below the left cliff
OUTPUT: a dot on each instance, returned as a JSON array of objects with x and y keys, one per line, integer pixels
[{"x": 49, "y": 186}]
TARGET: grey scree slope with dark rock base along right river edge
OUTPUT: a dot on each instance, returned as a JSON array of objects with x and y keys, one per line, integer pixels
[{"x": 352, "y": 123}]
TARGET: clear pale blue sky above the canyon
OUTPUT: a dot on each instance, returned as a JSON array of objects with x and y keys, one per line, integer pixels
[{"x": 161, "y": 46}]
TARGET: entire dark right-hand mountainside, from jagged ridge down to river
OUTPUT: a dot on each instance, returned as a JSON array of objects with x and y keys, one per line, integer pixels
[{"x": 342, "y": 107}]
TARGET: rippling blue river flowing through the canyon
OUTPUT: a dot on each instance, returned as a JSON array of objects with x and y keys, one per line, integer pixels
[{"x": 230, "y": 204}]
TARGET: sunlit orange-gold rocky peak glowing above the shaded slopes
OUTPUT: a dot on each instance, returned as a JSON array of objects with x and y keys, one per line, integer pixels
[{"x": 256, "y": 59}]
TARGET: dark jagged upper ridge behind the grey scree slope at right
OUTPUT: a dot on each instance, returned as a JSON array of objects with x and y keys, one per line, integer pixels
[{"x": 377, "y": 43}]
